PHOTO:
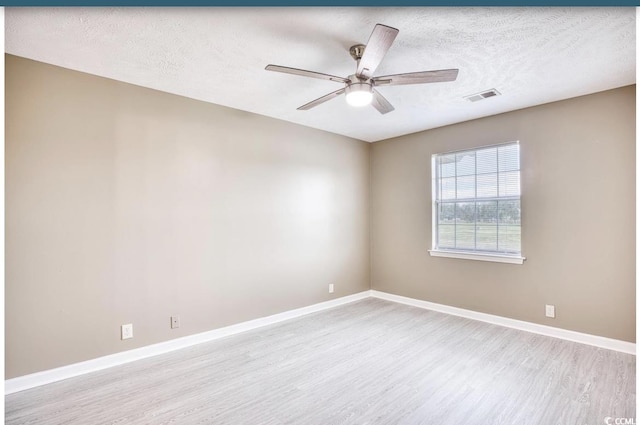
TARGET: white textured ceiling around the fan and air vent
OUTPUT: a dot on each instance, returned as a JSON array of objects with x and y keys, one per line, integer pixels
[{"x": 530, "y": 55}]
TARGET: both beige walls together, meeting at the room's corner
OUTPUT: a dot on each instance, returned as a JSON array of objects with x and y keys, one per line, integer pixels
[{"x": 128, "y": 205}]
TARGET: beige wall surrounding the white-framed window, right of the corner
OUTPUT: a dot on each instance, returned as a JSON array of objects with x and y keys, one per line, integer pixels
[{"x": 578, "y": 217}]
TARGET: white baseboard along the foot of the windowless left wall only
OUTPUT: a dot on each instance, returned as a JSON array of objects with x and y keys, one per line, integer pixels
[{"x": 58, "y": 374}]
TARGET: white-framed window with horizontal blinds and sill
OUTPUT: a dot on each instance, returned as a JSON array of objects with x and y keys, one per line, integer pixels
[{"x": 476, "y": 204}]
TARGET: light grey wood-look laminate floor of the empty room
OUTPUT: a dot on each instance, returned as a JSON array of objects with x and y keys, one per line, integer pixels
[{"x": 368, "y": 362}]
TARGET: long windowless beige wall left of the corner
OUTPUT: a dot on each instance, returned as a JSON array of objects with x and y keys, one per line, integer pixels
[{"x": 128, "y": 205}]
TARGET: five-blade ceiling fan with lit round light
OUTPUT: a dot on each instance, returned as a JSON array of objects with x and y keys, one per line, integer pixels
[{"x": 359, "y": 88}]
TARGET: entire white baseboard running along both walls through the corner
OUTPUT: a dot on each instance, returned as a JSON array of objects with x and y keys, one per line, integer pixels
[{"x": 48, "y": 376}]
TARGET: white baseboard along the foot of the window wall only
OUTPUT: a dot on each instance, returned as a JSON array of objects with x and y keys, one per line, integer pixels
[{"x": 597, "y": 341}]
